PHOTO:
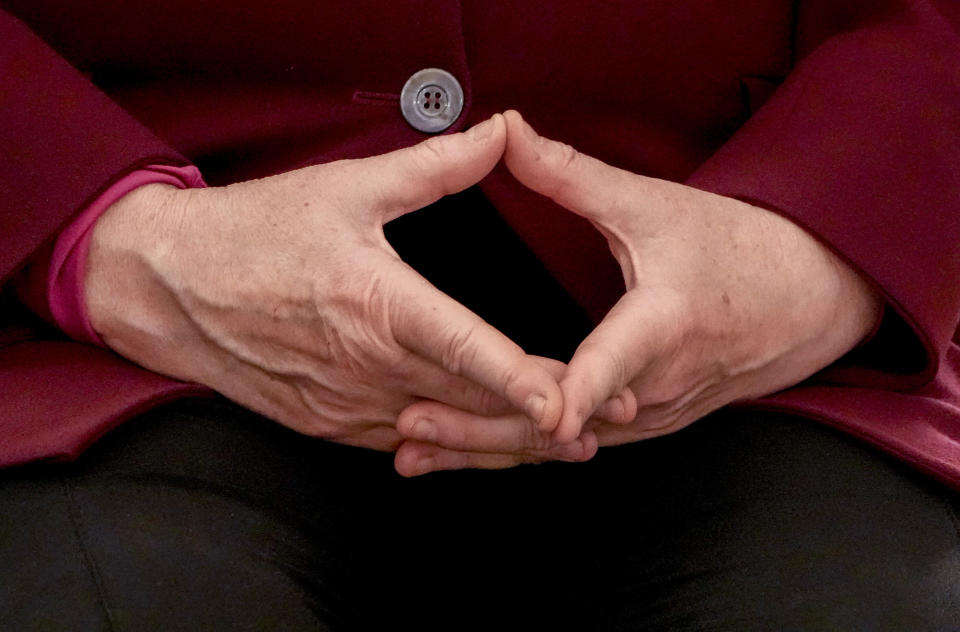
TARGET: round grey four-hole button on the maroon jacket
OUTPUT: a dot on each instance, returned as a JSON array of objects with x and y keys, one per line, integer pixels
[{"x": 431, "y": 100}]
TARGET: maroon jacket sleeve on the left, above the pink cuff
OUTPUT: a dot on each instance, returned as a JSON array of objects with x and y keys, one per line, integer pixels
[{"x": 62, "y": 141}]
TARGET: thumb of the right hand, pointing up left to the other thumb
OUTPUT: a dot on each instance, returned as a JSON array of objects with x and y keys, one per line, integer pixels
[{"x": 578, "y": 182}]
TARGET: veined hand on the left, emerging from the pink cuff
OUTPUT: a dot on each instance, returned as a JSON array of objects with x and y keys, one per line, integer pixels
[{"x": 283, "y": 295}]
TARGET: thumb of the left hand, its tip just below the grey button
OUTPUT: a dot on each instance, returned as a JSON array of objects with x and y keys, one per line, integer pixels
[{"x": 408, "y": 179}]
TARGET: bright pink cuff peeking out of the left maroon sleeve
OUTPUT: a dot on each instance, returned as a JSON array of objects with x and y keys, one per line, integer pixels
[{"x": 65, "y": 279}]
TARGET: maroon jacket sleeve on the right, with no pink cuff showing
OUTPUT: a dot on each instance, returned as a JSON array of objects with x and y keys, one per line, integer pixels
[{"x": 861, "y": 146}]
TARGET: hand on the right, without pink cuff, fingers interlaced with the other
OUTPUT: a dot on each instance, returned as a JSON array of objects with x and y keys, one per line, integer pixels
[{"x": 725, "y": 301}]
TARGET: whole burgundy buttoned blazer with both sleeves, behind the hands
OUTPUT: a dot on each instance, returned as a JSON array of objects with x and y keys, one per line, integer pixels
[{"x": 841, "y": 115}]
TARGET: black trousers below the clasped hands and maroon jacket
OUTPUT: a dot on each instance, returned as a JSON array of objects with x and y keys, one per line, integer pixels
[{"x": 202, "y": 516}]
